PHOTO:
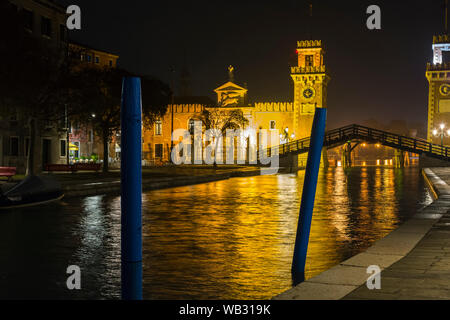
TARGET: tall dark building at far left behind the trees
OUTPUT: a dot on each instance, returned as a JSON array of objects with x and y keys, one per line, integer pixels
[{"x": 45, "y": 20}]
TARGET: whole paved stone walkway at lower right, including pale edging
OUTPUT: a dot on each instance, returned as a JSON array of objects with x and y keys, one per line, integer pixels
[{"x": 414, "y": 259}]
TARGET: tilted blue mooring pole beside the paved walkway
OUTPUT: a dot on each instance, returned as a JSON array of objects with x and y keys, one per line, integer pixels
[{"x": 309, "y": 193}]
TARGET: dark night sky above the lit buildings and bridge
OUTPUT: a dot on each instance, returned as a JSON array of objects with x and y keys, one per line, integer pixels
[{"x": 375, "y": 74}]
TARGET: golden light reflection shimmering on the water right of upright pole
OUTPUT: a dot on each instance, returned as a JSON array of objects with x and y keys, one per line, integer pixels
[{"x": 234, "y": 239}]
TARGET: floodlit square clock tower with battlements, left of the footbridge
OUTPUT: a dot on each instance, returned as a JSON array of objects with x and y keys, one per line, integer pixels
[{"x": 310, "y": 87}]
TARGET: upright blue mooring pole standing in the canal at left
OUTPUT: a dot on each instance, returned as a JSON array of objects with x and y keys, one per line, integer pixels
[{"x": 131, "y": 189}]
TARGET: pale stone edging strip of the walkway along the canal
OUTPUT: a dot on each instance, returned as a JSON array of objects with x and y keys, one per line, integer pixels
[{"x": 351, "y": 274}]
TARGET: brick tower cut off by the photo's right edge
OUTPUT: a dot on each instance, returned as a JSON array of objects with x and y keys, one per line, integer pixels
[{"x": 438, "y": 76}]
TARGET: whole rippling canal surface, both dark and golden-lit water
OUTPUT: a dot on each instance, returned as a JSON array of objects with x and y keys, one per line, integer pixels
[{"x": 229, "y": 239}]
